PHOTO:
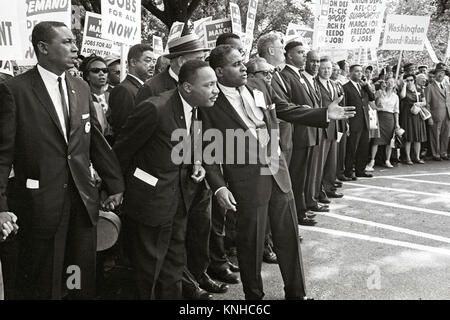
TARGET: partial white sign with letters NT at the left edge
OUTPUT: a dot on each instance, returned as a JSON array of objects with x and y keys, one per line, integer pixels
[{"x": 10, "y": 37}]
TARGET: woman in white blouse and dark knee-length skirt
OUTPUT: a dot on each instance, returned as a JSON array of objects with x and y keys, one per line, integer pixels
[{"x": 387, "y": 106}]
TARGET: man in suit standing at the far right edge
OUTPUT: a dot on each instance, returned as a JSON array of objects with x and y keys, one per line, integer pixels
[{"x": 437, "y": 96}]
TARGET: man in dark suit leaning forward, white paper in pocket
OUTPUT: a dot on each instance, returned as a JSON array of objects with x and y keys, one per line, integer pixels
[{"x": 161, "y": 188}]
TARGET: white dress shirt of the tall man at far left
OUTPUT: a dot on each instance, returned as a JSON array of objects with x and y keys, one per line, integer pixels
[{"x": 51, "y": 84}]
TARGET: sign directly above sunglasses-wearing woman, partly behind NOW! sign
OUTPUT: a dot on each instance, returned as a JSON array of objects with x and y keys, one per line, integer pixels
[{"x": 93, "y": 43}]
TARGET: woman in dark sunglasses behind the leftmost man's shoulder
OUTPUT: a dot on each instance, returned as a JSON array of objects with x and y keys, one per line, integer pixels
[{"x": 95, "y": 73}]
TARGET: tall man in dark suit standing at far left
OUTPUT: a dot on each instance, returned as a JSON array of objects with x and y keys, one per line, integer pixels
[{"x": 51, "y": 134}]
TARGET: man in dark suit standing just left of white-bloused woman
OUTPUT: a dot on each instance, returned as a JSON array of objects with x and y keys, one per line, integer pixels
[{"x": 358, "y": 94}]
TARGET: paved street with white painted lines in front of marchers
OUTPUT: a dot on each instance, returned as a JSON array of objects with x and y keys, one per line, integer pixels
[{"x": 388, "y": 238}]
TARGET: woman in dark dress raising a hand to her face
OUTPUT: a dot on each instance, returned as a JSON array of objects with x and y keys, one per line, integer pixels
[{"x": 415, "y": 128}]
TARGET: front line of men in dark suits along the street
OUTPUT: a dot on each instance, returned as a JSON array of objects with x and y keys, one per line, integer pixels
[{"x": 306, "y": 128}]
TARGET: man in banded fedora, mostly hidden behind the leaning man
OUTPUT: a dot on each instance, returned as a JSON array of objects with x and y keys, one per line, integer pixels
[{"x": 195, "y": 279}]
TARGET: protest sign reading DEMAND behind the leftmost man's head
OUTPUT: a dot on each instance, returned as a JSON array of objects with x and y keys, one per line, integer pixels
[{"x": 38, "y": 11}]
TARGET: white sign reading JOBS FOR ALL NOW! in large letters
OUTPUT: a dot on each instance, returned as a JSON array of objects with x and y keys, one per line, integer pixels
[{"x": 121, "y": 21}]
